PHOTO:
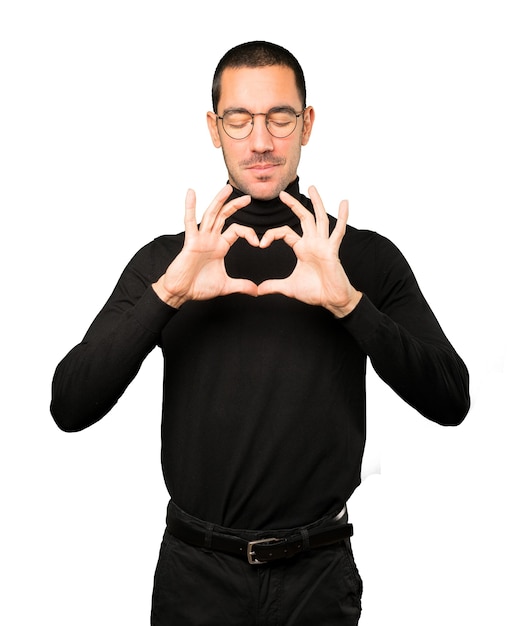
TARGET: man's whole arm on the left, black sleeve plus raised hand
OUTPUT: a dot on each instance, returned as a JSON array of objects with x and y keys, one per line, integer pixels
[{"x": 92, "y": 377}]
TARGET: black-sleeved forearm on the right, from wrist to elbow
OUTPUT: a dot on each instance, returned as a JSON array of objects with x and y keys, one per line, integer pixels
[{"x": 424, "y": 371}]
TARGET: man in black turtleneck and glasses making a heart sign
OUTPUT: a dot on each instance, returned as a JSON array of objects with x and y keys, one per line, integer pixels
[{"x": 266, "y": 313}]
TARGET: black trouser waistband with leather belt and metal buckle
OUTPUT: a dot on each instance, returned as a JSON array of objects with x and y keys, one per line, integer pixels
[{"x": 258, "y": 546}]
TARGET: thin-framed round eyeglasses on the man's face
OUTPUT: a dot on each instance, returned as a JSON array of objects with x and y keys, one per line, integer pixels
[{"x": 280, "y": 122}]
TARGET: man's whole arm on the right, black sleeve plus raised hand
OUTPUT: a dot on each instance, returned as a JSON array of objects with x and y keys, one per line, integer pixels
[{"x": 401, "y": 336}]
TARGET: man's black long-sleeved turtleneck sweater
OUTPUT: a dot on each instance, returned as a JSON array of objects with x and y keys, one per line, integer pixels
[{"x": 264, "y": 398}]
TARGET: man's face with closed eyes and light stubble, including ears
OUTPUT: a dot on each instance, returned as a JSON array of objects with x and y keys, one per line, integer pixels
[{"x": 260, "y": 165}]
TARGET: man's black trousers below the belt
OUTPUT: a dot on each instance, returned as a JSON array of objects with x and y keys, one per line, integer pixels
[{"x": 199, "y": 587}]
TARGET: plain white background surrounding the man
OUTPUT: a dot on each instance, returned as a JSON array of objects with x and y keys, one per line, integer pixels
[{"x": 102, "y": 131}]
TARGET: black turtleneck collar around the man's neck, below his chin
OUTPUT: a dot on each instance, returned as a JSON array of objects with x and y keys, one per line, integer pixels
[{"x": 265, "y": 214}]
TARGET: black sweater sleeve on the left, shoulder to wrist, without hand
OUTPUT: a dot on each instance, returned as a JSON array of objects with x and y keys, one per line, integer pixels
[{"x": 94, "y": 374}]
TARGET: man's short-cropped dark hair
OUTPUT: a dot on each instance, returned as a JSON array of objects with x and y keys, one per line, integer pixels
[{"x": 257, "y": 54}]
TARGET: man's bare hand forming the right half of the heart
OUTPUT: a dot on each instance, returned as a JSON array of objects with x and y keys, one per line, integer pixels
[{"x": 318, "y": 278}]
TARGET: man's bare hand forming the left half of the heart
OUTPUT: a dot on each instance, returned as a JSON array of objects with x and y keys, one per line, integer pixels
[{"x": 198, "y": 272}]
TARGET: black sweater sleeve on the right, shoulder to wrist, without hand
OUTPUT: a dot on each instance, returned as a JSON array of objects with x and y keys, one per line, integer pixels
[{"x": 394, "y": 325}]
